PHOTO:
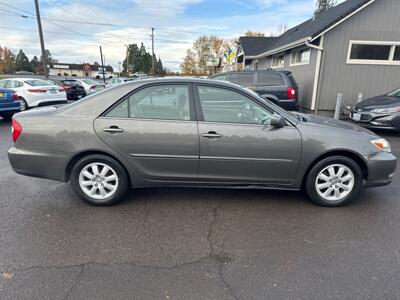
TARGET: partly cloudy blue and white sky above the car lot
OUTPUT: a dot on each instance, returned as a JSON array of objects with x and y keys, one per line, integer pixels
[{"x": 114, "y": 23}]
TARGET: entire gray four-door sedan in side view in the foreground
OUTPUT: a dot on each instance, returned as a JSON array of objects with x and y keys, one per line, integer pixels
[{"x": 191, "y": 132}]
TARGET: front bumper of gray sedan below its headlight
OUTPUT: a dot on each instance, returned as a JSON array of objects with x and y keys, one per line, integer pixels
[{"x": 381, "y": 169}]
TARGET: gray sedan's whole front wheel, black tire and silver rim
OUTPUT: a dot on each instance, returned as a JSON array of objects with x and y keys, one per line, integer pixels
[{"x": 334, "y": 181}]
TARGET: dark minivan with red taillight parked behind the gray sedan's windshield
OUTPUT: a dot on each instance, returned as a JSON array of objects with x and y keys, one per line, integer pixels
[{"x": 279, "y": 87}]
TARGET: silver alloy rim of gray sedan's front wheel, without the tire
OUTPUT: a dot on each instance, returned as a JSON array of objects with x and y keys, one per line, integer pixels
[{"x": 335, "y": 182}]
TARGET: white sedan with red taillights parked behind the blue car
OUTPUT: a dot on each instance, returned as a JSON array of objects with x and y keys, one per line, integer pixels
[{"x": 34, "y": 92}]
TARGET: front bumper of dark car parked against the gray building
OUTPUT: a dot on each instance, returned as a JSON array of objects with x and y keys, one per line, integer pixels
[{"x": 378, "y": 121}]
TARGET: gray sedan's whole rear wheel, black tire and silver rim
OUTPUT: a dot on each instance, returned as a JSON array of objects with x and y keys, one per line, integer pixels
[{"x": 102, "y": 190}]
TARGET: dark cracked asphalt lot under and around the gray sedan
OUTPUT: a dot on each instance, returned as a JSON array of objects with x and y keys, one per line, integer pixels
[{"x": 195, "y": 243}]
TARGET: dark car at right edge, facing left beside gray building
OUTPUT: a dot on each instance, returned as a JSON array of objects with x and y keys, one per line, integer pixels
[{"x": 381, "y": 112}]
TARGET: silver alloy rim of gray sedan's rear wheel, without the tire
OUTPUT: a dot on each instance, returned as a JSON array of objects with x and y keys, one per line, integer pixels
[{"x": 98, "y": 181}]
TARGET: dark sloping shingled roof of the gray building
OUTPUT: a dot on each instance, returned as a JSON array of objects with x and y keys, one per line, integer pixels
[{"x": 310, "y": 28}]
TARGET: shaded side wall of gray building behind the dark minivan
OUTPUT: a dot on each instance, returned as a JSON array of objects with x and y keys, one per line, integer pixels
[{"x": 303, "y": 74}]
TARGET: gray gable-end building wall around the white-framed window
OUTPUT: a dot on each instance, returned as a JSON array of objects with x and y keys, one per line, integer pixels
[{"x": 378, "y": 22}]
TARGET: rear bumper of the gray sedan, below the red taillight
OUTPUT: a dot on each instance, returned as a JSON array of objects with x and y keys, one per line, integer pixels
[{"x": 39, "y": 164}]
